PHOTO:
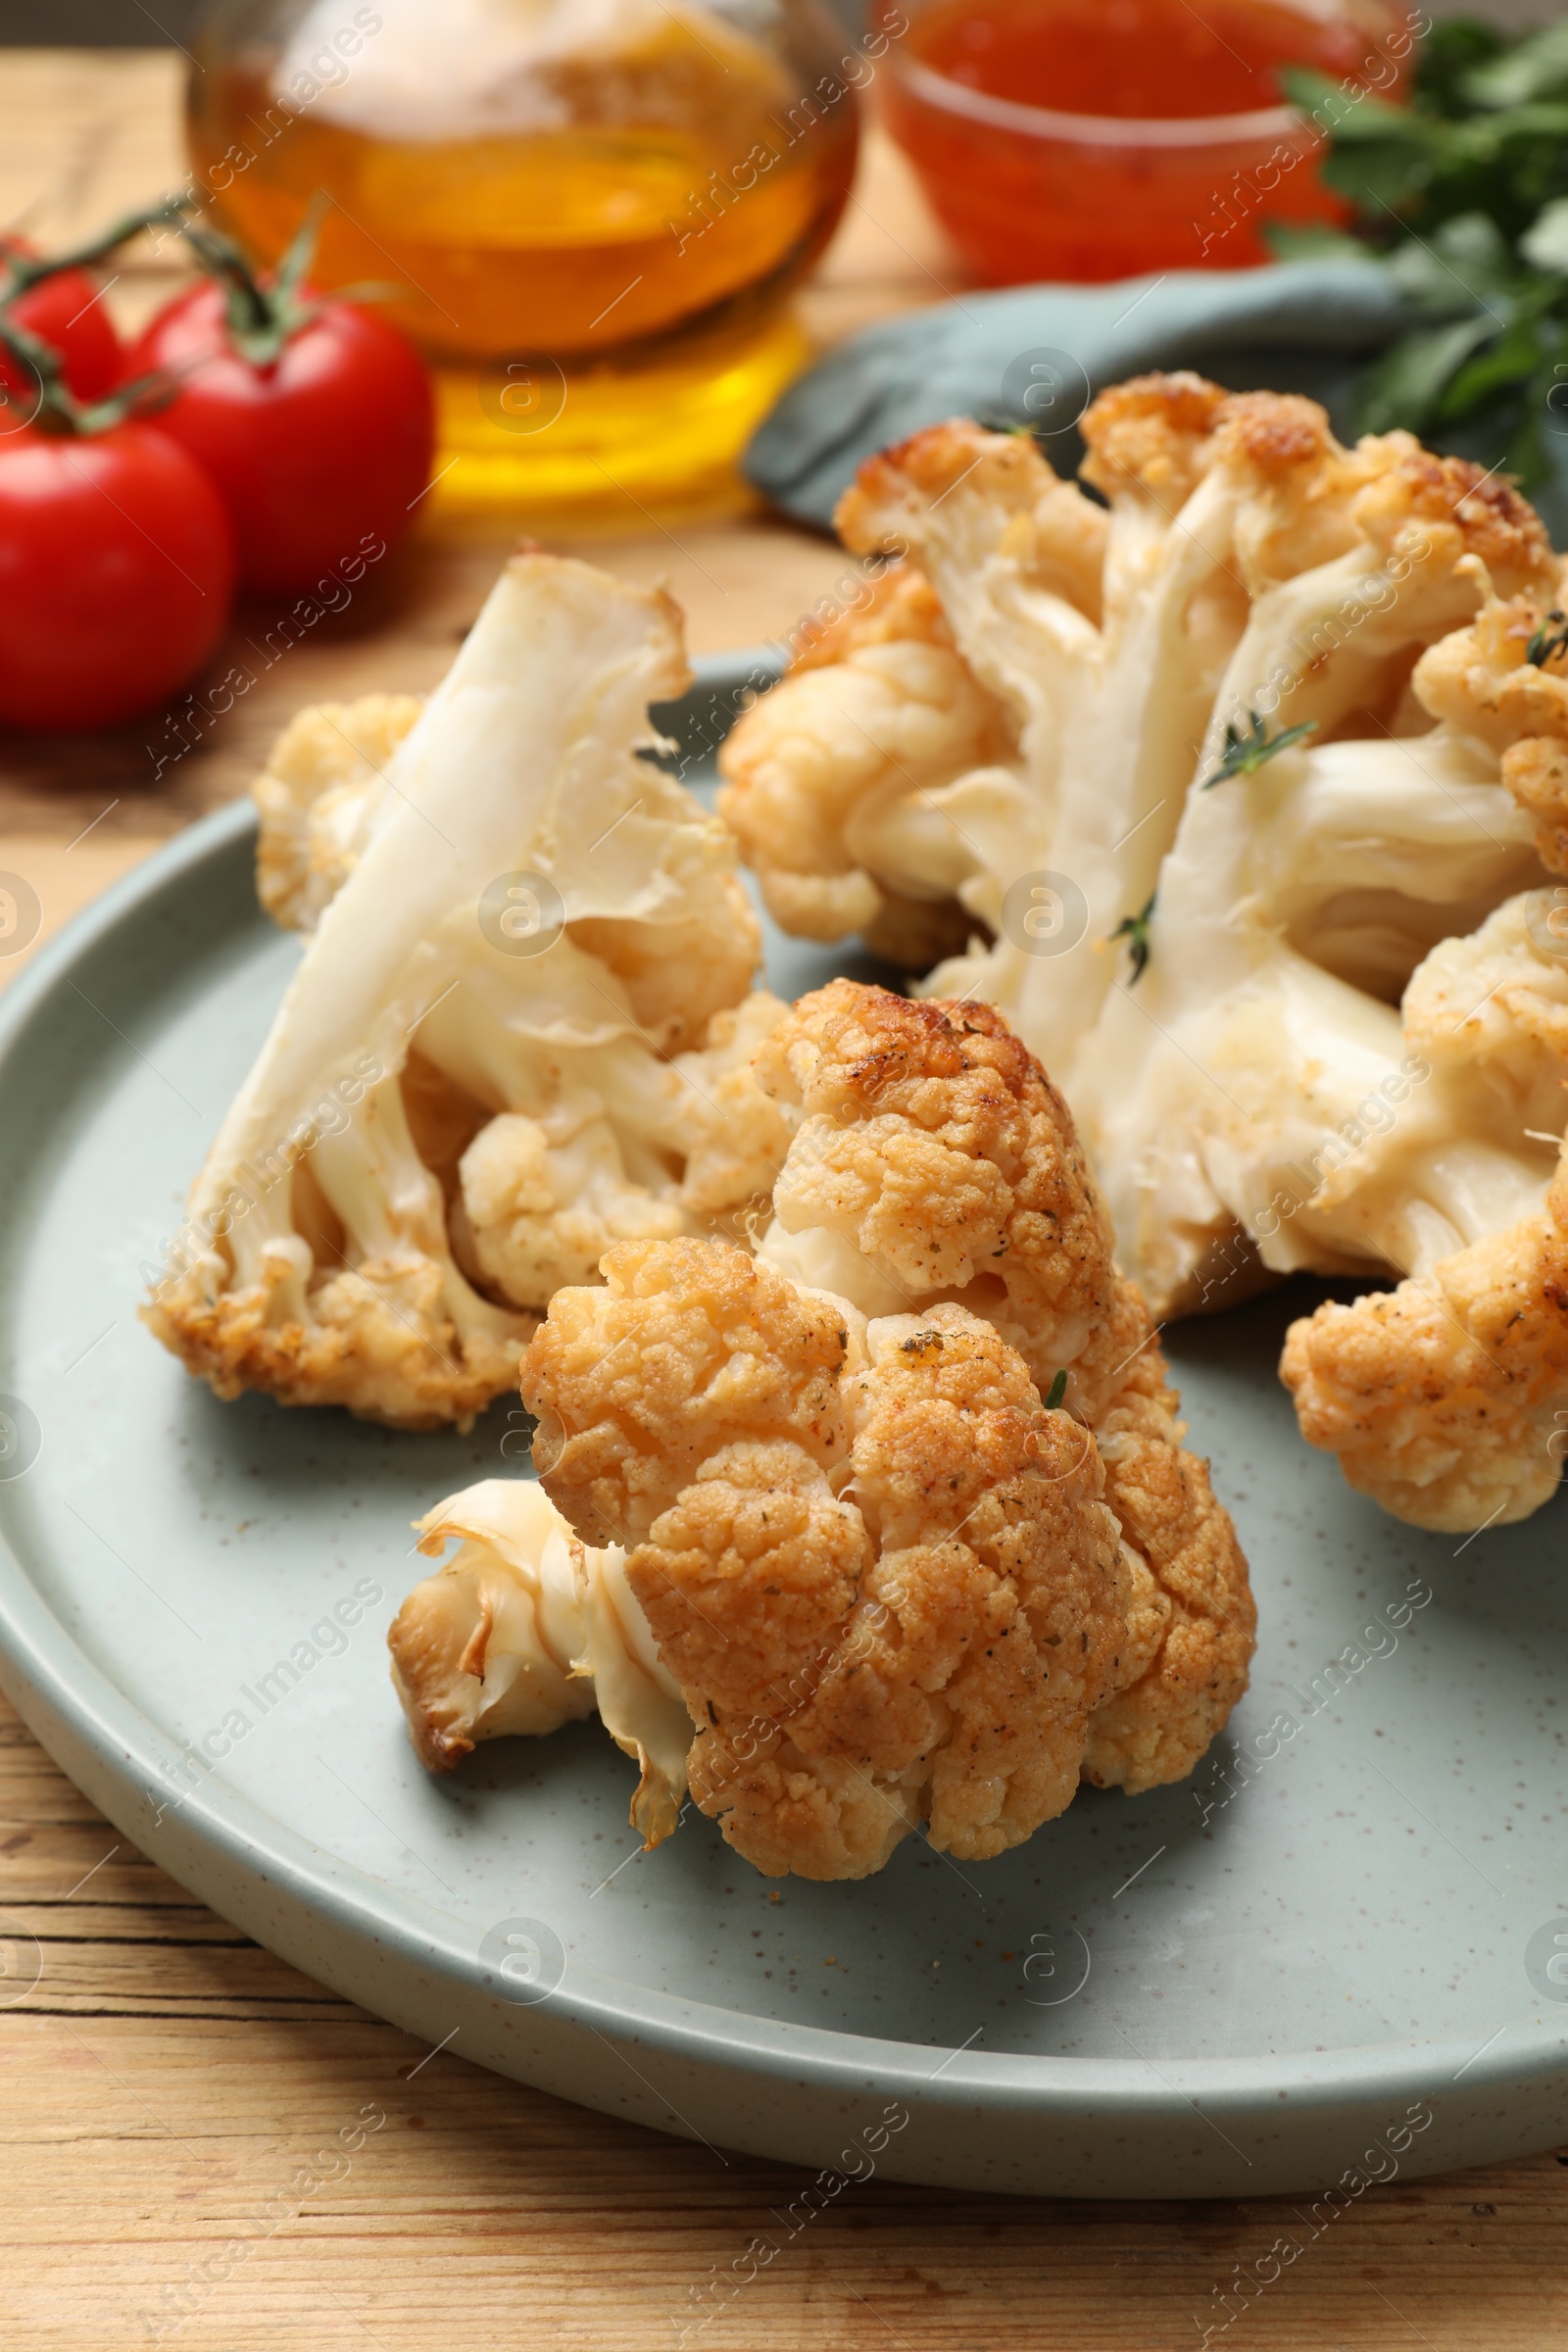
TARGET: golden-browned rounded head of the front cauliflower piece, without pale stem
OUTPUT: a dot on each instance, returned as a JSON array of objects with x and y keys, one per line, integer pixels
[{"x": 920, "y": 1551}]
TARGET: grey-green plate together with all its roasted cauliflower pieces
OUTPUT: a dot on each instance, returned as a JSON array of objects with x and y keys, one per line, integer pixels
[{"x": 833, "y": 1264}]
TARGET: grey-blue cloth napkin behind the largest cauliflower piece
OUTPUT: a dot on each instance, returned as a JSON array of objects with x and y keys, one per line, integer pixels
[{"x": 1038, "y": 356}]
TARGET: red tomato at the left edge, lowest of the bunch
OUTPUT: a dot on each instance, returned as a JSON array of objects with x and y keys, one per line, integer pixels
[{"x": 116, "y": 570}]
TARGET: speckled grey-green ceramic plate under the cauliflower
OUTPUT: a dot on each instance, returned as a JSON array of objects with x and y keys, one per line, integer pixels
[{"x": 1341, "y": 1937}]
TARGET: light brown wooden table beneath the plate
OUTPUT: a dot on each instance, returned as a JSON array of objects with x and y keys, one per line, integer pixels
[{"x": 168, "y": 2076}]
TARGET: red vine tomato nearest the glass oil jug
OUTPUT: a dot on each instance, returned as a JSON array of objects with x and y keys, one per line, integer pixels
[{"x": 314, "y": 450}]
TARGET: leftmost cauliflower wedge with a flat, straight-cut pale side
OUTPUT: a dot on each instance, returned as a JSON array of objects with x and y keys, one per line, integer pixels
[{"x": 441, "y": 1130}]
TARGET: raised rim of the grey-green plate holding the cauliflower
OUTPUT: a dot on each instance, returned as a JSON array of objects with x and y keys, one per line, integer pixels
[{"x": 321, "y": 1913}]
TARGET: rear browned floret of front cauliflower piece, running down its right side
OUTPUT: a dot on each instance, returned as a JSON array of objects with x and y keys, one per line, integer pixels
[{"x": 939, "y": 1149}]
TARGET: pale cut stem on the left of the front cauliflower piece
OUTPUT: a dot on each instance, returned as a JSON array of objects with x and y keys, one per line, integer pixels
[{"x": 525, "y": 1631}]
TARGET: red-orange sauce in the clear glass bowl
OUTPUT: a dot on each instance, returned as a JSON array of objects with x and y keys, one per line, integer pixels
[{"x": 1012, "y": 114}]
